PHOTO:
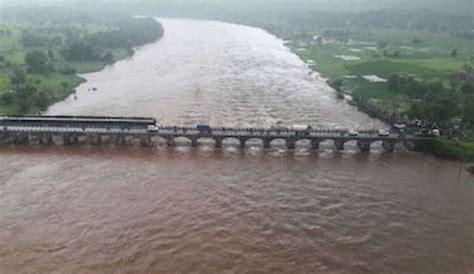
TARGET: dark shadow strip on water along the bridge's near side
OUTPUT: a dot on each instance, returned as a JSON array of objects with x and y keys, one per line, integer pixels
[{"x": 205, "y": 150}]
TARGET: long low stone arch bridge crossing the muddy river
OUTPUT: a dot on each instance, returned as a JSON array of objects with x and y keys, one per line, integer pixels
[{"x": 71, "y": 134}]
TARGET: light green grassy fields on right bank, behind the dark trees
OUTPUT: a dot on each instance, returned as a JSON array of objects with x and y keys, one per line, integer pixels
[{"x": 431, "y": 61}]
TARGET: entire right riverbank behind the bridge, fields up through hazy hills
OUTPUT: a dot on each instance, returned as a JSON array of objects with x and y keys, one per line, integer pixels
[{"x": 399, "y": 71}]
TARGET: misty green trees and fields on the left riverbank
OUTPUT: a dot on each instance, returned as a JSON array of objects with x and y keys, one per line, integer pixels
[{"x": 41, "y": 52}]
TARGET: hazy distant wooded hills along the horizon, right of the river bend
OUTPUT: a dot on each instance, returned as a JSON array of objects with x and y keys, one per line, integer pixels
[{"x": 281, "y": 16}]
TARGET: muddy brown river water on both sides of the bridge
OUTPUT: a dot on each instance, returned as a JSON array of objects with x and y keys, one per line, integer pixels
[{"x": 142, "y": 210}]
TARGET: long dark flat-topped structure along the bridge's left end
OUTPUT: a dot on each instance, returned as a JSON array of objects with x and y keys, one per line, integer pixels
[{"x": 79, "y": 122}]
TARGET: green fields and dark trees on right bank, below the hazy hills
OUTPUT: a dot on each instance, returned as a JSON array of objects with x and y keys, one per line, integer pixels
[{"x": 368, "y": 73}]
